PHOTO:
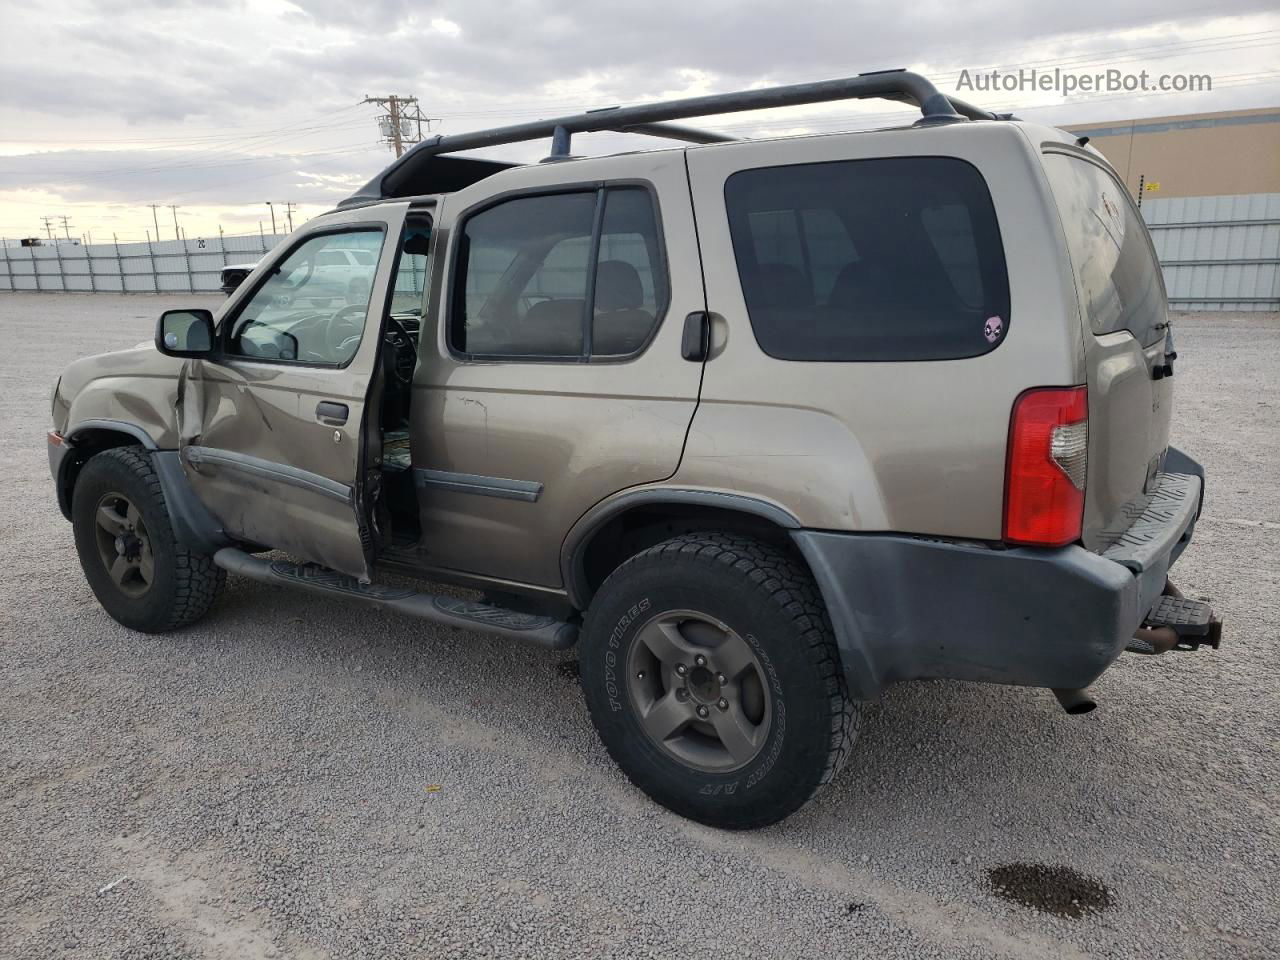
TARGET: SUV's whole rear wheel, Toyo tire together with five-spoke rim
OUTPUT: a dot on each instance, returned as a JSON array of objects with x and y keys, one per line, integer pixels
[{"x": 712, "y": 676}]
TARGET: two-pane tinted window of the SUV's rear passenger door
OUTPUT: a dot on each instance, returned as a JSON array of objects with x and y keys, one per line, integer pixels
[{"x": 524, "y": 284}]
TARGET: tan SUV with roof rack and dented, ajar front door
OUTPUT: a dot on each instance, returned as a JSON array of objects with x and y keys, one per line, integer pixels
[{"x": 761, "y": 426}]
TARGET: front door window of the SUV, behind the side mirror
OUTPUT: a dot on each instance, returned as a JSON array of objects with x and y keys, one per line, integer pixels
[{"x": 314, "y": 307}]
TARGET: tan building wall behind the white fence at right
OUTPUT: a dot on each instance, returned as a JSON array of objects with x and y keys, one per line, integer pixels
[{"x": 1195, "y": 156}]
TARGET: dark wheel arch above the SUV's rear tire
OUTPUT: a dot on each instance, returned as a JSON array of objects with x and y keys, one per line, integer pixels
[{"x": 618, "y": 529}]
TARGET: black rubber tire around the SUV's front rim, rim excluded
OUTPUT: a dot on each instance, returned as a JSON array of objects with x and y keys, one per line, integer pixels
[{"x": 185, "y": 583}]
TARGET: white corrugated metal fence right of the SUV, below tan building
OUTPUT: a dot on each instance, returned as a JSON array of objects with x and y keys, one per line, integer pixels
[{"x": 1219, "y": 253}]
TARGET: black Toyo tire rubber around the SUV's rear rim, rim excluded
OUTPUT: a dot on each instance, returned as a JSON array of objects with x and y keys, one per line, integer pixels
[{"x": 772, "y": 602}]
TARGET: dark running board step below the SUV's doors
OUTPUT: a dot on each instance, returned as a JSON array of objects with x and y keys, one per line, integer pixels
[{"x": 450, "y": 611}]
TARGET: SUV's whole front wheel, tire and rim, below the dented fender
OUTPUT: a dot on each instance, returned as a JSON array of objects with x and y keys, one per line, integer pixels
[{"x": 141, "y": 575}]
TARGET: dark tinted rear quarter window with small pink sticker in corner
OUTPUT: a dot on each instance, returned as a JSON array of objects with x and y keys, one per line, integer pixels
[{"x": 870, "y": 260}]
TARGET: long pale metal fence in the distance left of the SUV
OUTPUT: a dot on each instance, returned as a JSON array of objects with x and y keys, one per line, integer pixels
[{"x": 191, "y": 266}]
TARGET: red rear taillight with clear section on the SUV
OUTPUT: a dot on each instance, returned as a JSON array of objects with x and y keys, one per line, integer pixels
[{"x": 1049, "y": 444}]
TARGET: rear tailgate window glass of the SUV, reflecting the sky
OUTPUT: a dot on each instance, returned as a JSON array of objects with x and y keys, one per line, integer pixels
[{"x": 1116, "y": 264}]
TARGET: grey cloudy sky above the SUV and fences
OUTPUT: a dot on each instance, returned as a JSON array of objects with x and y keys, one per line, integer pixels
[{"x": 221, "y": 106}]
